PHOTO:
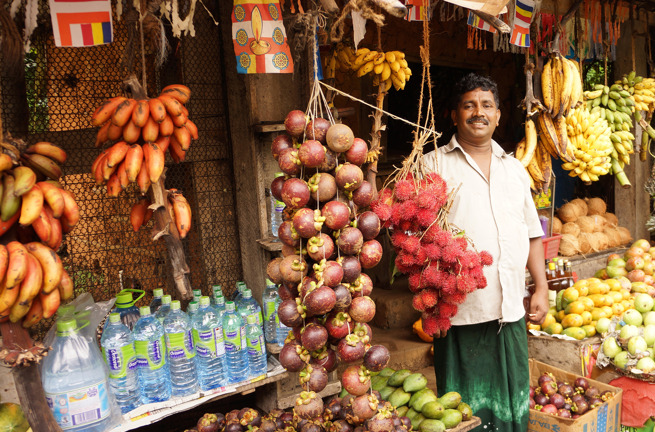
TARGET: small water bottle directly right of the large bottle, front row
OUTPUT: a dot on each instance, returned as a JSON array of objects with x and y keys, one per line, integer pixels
[{"x": 118, "y": 349}]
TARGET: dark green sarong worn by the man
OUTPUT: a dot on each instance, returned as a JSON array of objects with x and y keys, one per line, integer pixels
[{"x": 489, "y": 368}]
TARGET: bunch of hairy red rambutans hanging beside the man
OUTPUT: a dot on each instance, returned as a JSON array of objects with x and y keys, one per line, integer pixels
[{"x": 442, "y": 269}]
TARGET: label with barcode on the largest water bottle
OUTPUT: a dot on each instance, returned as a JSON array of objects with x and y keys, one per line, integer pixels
[{"x": 81, "y": 406}]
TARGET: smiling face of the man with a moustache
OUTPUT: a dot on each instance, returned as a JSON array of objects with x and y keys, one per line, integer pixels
[{"x": 476, "y": 116}]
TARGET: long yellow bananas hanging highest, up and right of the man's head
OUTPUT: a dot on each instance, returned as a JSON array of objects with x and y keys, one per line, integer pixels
[{"x": 561, "y": 85}]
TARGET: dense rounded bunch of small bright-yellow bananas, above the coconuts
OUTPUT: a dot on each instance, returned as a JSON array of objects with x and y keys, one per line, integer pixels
[{"x": 589, "y": 136}]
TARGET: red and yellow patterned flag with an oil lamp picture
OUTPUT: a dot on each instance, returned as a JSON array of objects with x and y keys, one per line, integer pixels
[{"x": 260, "y": 40}]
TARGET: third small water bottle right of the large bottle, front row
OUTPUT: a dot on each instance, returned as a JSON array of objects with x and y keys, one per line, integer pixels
[{"x": 181, "y": 351}]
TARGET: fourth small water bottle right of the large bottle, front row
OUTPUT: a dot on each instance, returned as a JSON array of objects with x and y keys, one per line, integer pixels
[{"x": 210, "y": 348}]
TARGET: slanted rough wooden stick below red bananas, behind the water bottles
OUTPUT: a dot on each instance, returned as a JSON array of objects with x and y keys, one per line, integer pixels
[{"x": 164, "y": 227}]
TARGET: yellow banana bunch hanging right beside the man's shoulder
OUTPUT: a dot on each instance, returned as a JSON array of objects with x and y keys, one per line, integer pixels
[{"x": 535, "y": 158}]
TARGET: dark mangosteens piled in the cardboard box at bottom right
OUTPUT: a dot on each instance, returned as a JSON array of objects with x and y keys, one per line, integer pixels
[{"x": 566, "y": 400}]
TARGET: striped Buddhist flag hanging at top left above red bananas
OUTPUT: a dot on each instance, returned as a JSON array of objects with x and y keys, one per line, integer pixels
[{"x": 80, "y": 23}]
